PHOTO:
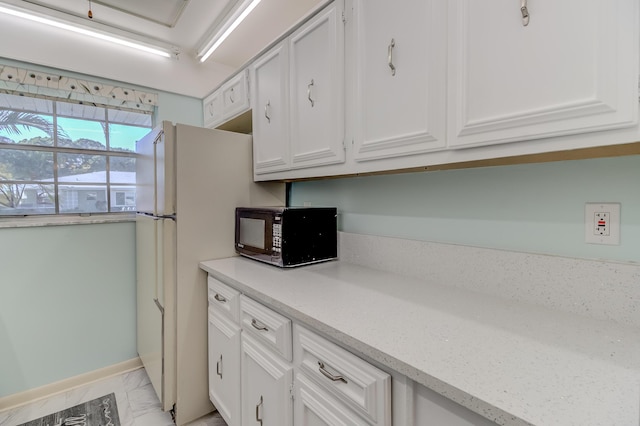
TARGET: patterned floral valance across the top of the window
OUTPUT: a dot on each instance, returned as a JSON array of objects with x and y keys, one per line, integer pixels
[{"x": 15, "y": 80}]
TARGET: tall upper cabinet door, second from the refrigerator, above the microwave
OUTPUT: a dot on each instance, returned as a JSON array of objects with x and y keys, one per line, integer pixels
[{"x": 317, "y": 98}]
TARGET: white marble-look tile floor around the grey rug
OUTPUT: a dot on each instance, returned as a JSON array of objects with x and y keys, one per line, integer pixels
[{"x": 137, "y": 403}]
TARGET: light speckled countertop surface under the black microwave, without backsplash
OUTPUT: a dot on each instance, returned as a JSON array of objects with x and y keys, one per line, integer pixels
[{"x": 513, "y": 362}]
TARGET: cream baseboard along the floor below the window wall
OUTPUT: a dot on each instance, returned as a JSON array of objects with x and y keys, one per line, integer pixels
[{"x": 31, "y": 395}]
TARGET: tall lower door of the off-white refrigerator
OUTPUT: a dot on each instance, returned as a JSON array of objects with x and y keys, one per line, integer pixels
[{"x": 155, "y": 303}]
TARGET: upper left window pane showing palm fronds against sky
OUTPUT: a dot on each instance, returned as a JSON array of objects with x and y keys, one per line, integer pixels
[{"x": 17, "y": 127}]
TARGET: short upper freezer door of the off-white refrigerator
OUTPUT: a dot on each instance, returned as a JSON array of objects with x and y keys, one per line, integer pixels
[{"x": 155, "y": 172}]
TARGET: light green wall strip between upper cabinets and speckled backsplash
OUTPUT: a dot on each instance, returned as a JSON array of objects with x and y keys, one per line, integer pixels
[{"x": 533, "y": 208}]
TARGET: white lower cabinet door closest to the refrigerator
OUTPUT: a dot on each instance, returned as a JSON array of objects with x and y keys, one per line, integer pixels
[{"x": 224, "y": 367}]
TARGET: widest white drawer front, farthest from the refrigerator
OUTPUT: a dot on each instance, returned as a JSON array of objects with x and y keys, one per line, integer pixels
[{"x": 361, "y": 386}]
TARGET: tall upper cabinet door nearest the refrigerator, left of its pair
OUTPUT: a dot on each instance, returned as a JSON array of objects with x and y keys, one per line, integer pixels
[{"x": 270, "y": 79}]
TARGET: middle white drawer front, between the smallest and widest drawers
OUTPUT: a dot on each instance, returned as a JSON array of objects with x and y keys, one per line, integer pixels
[{"x": 268, "y": 326}]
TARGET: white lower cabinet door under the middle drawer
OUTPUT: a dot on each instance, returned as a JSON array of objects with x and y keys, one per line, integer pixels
[{"x": 266, "y": 386}]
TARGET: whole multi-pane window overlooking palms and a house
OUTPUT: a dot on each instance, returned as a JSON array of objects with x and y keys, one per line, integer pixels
[{"x": 67, "y": 158}]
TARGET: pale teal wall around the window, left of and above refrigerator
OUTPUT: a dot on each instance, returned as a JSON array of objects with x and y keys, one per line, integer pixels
[{"x": 67, "y": 293}]
